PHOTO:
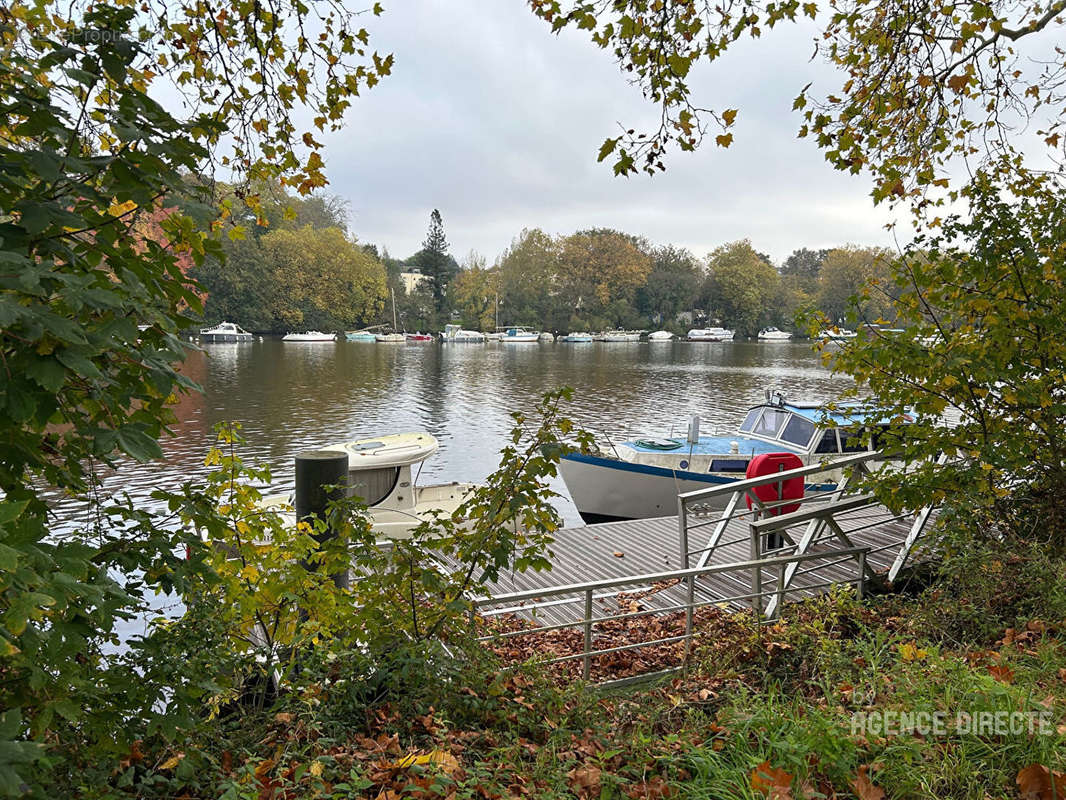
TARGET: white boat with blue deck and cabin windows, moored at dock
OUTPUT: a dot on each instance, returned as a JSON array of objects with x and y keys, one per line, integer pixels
[{"x": 643, "y": 477}]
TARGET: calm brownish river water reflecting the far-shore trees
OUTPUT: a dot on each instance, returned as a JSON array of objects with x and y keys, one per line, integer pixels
[{"x": 293, "y": 396}]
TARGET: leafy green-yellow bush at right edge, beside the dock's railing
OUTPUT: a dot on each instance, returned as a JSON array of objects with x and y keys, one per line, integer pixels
[{"x": 977, "y": 373}]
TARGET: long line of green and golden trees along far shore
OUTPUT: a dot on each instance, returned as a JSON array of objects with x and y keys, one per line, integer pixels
[{"x": 294, "y": 265}]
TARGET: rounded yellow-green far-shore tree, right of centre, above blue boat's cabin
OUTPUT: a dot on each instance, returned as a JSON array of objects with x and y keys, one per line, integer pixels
[{"x": 740, "y": 287}]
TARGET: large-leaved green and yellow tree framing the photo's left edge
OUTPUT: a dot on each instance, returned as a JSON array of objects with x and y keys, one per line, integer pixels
[{"x": 88, "y": 152}]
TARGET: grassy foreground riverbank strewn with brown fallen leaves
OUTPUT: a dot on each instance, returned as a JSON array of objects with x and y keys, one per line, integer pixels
[{"x": 955, "y": 691}]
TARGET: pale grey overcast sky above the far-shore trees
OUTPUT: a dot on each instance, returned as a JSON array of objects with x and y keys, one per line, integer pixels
[{"x": 494, "y": 121}]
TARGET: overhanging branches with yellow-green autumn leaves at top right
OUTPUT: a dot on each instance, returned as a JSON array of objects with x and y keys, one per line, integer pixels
[{"x": 924, "y": 87}]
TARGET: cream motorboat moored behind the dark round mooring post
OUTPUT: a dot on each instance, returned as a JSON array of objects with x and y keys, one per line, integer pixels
[{"x": 380, "y": 475}]
